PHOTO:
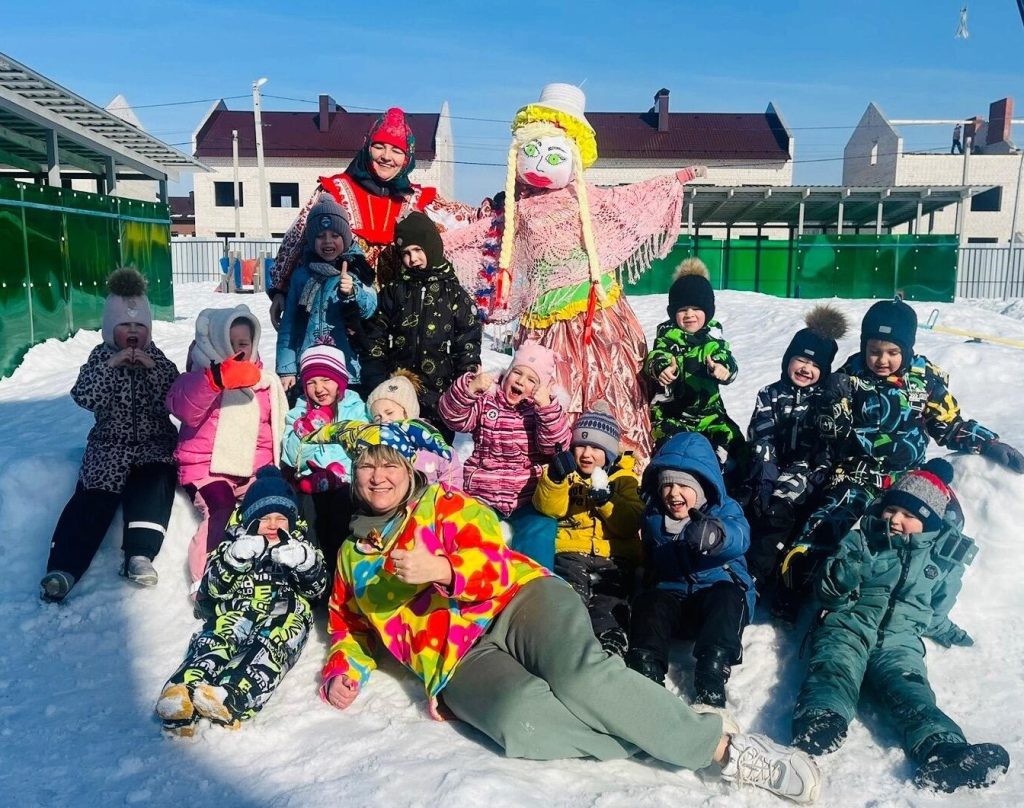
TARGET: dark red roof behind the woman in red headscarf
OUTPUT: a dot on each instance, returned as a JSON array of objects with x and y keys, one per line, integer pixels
[{"x": 298, "y": 135}]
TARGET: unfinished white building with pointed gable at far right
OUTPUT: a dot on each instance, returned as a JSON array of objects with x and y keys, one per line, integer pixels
[{"x": 876, "y": 156}]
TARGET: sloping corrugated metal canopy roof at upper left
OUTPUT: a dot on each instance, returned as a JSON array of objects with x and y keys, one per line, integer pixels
[{"x": 32, "y": 107}]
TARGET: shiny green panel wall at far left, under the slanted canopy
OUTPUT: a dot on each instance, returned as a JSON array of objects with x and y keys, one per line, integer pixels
[{"x": 58, "y": 247}]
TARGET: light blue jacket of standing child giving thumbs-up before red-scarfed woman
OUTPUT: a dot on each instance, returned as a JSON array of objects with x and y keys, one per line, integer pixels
[{"x": 301, "y": 329}]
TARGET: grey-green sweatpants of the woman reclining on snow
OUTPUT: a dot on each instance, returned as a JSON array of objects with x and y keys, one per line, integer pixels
[{"x": 540, "y": 685}]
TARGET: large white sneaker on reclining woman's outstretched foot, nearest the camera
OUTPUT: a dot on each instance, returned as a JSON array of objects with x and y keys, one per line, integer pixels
[{"x": 754, "y": 760}]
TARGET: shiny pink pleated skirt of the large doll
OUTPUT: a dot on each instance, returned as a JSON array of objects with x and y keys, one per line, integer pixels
[{"x": 609, "y": 370}]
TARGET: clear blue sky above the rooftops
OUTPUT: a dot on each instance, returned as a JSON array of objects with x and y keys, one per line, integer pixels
[{"x": 822, "y": 63}]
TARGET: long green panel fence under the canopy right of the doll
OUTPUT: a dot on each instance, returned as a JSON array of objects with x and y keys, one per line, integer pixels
[{"x": 919, "y": 268}]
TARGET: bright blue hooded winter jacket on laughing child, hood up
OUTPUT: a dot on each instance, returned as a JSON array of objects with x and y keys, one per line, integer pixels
[{"x": 671, "y": 562}]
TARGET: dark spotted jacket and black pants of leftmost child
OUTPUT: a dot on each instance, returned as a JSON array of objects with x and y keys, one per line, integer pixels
[{"x": 129, "y": 461}]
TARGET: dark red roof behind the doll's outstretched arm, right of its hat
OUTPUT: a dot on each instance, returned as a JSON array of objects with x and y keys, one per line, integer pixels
[{"x": 691, "y": 137}]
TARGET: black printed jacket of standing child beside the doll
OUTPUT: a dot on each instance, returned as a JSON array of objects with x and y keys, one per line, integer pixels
[{"x": 425, "y": 323}]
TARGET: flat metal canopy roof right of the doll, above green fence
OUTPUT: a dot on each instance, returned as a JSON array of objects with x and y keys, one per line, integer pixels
[{"x": 780, "y": 205}]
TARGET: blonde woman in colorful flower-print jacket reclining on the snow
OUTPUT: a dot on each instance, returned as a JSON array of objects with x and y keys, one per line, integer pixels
[{"x": 507, "y": 648}]
